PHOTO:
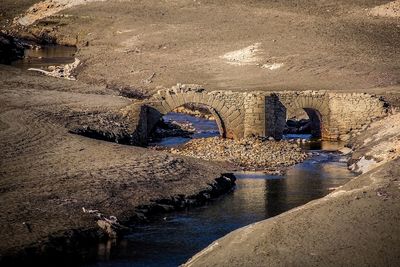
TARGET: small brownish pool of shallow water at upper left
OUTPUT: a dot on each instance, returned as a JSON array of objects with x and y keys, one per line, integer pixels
[{"x": 46, "y": 56}]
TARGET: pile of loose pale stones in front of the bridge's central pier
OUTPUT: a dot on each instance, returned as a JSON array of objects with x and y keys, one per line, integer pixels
[{"x": 248, "y": 154}]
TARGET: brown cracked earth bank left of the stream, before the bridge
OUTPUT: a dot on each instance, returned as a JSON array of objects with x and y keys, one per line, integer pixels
[{"x": 47, "y": 175}]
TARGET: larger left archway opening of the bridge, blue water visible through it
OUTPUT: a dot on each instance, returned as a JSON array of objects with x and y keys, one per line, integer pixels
[{"x": 184, "y": 123}]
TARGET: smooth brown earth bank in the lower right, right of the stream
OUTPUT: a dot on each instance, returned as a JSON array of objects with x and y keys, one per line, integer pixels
[{"x": 356, "y": 225}]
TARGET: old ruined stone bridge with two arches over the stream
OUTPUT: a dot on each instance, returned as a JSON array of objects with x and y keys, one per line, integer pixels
[{"x": 242, "y": 114}]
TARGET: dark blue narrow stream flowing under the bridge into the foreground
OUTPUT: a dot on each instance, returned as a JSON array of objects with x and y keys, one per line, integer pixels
[{"x": 175, "y": 237}]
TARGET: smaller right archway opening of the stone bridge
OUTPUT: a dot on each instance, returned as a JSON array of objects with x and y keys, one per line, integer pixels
[{"x": 304, "y": 123}]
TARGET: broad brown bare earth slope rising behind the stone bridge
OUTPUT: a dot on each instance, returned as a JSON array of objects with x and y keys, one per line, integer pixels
[{"x": 321, "y": 44}]
